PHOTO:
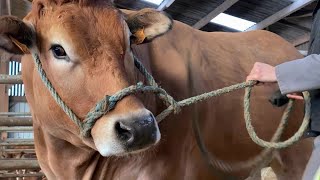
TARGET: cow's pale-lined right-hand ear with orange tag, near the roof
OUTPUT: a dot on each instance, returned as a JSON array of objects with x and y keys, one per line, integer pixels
[{"x": 147, "y": 24}]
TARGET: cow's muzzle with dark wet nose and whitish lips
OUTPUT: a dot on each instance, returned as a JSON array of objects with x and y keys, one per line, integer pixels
[{"x": 125, "y": 134}]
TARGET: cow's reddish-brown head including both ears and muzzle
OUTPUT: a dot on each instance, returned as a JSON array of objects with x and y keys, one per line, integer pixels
[{"x": 85, "y": 51}]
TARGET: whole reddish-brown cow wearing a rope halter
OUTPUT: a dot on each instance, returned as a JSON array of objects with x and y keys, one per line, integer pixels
[{"x": 85, "y": 52}]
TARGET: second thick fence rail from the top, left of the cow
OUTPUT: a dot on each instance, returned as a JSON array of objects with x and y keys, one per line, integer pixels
[{"x": 15, "y": 121}]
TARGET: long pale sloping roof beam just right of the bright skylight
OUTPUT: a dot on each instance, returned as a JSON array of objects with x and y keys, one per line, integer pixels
[{"x": 295, "y": 6}]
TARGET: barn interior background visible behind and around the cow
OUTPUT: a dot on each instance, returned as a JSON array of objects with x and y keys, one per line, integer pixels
[{"x": 290, "y": 19}]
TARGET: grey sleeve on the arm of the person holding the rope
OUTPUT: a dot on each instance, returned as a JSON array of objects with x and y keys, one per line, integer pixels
[{"x": 299, "y": 75}]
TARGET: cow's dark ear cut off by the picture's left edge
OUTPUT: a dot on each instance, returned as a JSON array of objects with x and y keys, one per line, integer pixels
[{"x": 15, "y": 35}]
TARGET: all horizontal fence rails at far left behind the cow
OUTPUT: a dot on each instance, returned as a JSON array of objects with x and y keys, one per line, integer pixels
[{"x": 17, "y": 156}]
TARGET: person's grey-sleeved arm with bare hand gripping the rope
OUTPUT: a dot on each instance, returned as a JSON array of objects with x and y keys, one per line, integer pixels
[{"x": 294, "y": 76}]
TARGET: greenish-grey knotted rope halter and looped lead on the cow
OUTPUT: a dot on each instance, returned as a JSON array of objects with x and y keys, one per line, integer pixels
[{"x": 109, "y": 102}]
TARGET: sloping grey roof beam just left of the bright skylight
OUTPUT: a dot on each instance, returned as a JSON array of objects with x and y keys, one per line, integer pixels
[{"x": 220, "y": 9}]
